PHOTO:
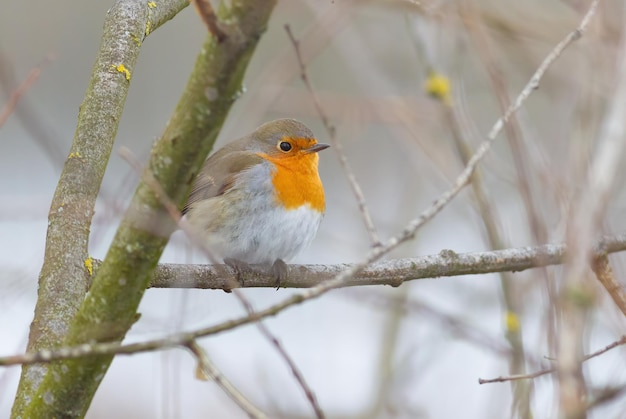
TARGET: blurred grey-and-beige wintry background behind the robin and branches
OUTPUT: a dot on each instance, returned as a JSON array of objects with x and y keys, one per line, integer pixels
[{"x": 372, "y": 352}]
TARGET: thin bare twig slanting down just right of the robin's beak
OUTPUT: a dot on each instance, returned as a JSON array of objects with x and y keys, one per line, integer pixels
[{"x": 337, "y": 146}]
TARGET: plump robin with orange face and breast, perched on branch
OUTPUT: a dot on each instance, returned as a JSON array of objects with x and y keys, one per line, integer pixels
[{"x": 260, "y": 199}]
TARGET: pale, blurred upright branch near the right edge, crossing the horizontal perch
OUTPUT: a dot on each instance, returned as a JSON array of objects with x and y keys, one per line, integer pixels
[{"x": 583, "y": 226}]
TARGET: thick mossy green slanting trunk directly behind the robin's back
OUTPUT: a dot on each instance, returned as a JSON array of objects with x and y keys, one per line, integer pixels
[{"x": 109, "y": 309}]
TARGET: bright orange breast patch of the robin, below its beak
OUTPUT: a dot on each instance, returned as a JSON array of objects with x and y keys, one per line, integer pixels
[{"x": 297, "y": 181}]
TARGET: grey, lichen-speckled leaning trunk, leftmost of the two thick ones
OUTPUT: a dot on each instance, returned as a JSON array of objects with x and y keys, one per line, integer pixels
[{"x": 63, "y": 279}]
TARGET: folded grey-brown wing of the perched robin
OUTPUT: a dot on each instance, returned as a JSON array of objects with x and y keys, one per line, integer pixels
[{"x": 218, "y": 174}]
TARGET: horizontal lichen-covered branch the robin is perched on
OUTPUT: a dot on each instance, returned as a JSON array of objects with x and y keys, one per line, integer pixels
[{"x": 390, "y": 272}]
